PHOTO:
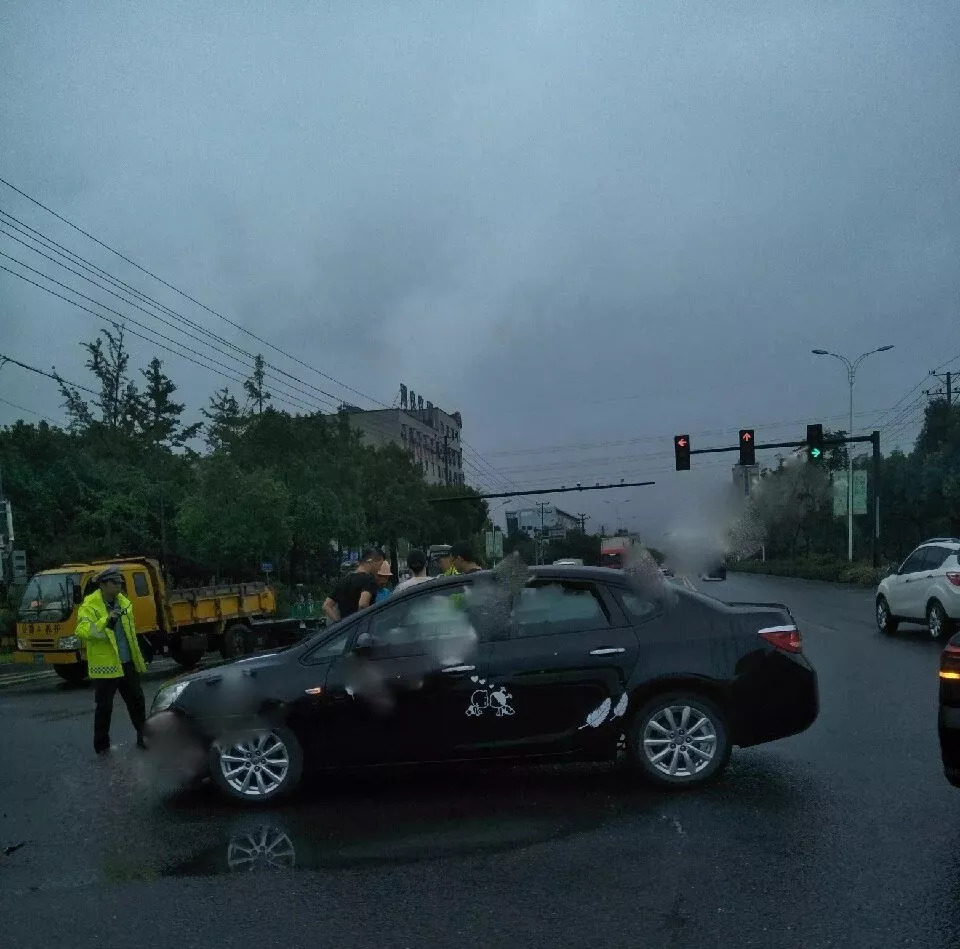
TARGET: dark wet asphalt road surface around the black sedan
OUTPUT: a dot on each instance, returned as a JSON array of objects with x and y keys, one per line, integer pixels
[{"x": 847, "y": 835}]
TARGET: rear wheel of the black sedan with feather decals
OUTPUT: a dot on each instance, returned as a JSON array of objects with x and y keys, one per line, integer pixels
[{"x": 679, "y": 739}]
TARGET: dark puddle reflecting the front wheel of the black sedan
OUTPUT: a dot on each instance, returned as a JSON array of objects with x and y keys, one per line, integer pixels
[{"x": 365, "y": 823}]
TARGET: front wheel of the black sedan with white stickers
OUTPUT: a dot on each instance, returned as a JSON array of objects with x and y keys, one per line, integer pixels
[{"x": 258, "y": 767}]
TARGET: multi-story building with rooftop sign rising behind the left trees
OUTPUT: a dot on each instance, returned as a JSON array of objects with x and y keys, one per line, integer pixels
[{"x": 431, "y": 436}]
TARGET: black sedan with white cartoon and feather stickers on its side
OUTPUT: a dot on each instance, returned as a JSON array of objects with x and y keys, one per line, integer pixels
[{"x": 562, "y": 663}]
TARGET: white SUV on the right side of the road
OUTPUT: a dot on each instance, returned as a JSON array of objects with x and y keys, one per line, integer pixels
[{"x": 926, "y": 589}]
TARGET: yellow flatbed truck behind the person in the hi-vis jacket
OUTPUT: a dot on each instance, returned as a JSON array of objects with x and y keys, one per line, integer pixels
[{"x": 235, "y": 619}]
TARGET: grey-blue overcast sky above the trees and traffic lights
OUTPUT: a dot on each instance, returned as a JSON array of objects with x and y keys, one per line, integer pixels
[{"x": 578, "y": 223}]
